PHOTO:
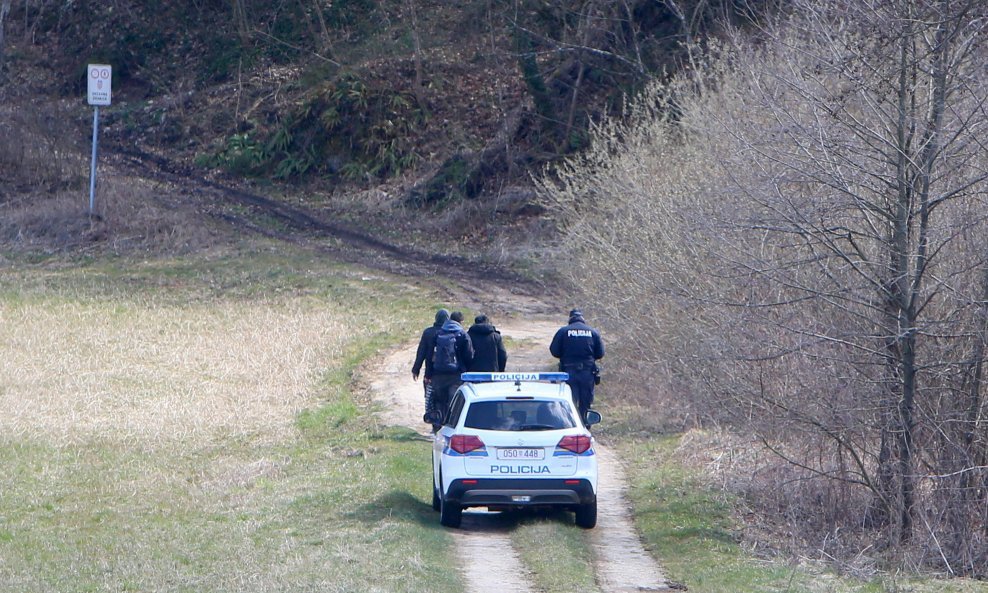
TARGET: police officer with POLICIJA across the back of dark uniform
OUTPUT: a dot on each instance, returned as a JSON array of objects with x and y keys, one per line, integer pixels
[{"x": 578, "y": 346}]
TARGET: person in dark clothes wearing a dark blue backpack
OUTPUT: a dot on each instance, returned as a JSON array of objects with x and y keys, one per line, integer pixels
[{"x": 452, "y": 353}]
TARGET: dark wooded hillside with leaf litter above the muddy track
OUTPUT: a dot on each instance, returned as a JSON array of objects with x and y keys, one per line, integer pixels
[{"x": 455, "y": 99}]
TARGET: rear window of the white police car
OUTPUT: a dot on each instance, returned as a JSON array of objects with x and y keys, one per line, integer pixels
[{"x": 519, "y": 415}]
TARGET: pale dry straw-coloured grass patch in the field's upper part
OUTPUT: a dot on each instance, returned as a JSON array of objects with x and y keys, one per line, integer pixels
[{"x": 153, "y": 374}]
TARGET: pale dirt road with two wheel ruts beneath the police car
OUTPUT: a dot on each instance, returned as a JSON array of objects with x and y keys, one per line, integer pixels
[{"x": 620, "y": 562}]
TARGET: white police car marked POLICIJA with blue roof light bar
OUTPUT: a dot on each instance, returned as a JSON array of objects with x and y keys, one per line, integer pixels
[{"x": 514, "y": 440}]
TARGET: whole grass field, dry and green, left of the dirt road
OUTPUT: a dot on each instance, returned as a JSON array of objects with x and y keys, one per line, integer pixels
[{"x": 188, "y": 426}]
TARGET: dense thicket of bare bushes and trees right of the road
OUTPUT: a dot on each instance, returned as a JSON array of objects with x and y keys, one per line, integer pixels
[{"x": 795, "y": 240}]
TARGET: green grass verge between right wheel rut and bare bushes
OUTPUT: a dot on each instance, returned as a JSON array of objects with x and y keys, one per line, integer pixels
[{"x": 697, "y": 528}]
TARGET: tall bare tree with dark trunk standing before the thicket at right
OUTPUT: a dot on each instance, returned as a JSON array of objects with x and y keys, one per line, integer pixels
[{"x": 883, "y": 132}]
